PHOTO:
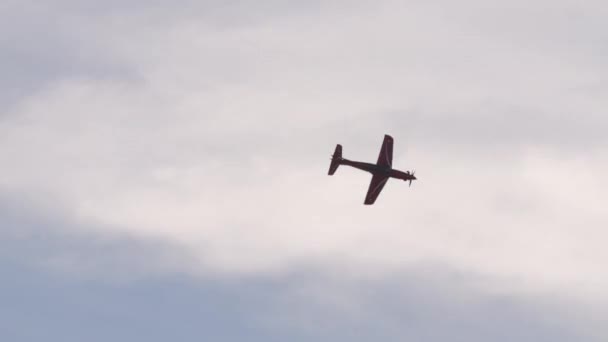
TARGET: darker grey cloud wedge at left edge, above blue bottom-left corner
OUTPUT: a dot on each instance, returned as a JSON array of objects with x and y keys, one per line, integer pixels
[{"x": 41, "y": 239}]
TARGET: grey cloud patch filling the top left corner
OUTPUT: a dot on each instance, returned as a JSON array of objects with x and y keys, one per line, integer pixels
[{"x": 42, "y": 45}]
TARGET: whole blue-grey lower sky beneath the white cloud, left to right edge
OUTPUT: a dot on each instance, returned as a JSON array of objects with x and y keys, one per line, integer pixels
[{"x": 45, "y": 299}]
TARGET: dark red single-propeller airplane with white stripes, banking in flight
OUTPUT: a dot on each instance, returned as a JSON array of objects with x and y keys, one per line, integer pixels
[{"x": 381, "y": 171}]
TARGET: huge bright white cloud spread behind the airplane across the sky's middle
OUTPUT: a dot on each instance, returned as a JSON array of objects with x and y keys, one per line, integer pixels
[{"x": 221, "y": 143}]
